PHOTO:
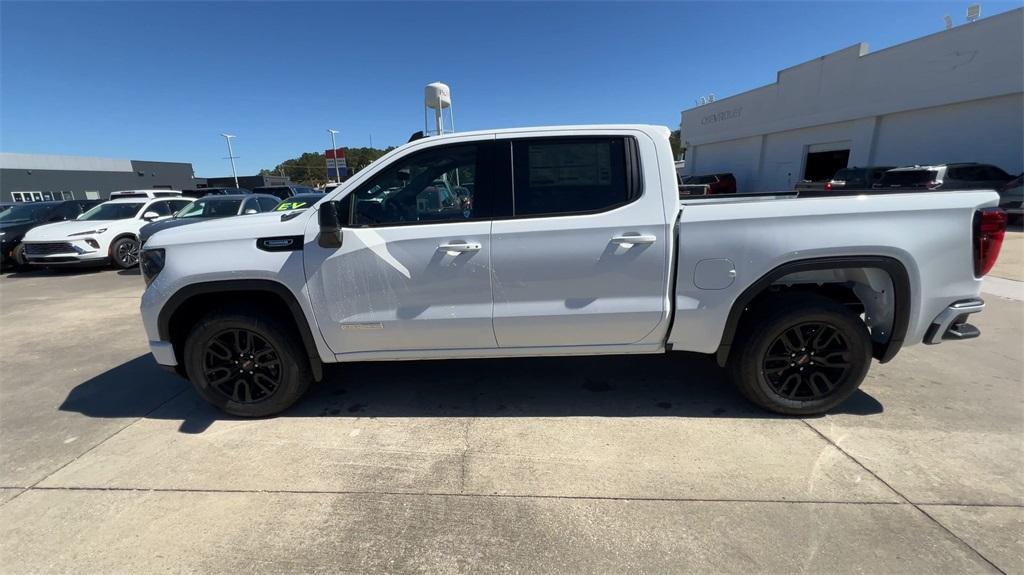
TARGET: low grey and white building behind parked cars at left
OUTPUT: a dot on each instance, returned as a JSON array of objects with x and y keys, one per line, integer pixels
[{"x": 30, "y": 178}]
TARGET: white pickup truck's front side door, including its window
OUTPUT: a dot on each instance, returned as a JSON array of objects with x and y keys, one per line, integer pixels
[{"x": 414, "y": 269}]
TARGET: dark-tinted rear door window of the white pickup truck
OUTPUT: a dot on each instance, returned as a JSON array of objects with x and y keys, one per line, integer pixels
[{"x": 572, "y": 175}]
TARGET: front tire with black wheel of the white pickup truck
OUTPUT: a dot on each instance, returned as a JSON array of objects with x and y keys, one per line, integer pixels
[{"x": 215, "y": 348}]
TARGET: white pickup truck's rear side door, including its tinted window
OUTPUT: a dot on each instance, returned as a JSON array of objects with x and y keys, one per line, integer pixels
[{"x": 584, "y": 258}]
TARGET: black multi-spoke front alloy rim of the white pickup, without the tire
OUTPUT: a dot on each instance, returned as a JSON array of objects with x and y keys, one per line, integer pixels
[{"x": 242, "y": 367}]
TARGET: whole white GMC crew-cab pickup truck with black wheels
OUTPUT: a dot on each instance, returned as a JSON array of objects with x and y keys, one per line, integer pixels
[{"x": 568, "y": 241}]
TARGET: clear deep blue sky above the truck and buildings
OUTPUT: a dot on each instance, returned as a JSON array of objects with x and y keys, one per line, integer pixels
[{"x": 160, "y": 81}]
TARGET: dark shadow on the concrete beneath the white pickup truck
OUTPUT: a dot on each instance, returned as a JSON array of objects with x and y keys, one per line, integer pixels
[{"x": 676, "y": 385}]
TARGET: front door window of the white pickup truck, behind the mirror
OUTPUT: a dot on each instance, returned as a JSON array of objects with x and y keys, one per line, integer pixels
[{"x": 437, "y": 185}]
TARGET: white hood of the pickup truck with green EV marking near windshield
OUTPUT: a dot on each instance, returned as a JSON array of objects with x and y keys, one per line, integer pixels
[{"x": 222, "y": 230}]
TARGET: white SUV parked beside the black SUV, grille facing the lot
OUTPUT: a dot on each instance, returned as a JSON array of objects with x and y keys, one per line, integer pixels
[{"x": 108, "y": 233}]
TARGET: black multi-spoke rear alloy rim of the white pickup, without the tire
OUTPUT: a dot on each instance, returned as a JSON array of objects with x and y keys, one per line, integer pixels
[{"x": 807, "y": 362}]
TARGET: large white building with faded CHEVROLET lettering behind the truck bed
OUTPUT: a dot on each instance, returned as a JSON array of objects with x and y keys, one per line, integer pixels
[{"x": 956, "y": 96}]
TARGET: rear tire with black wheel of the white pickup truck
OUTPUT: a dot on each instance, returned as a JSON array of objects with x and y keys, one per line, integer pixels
[{"x": 817, "y": 380}]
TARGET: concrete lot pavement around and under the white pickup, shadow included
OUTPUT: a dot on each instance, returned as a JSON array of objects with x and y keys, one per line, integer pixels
[{"x": 533, "y": 466}]
